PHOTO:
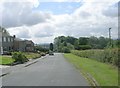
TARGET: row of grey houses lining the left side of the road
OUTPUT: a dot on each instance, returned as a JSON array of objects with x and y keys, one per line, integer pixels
[{"x": 11, "y": 43}]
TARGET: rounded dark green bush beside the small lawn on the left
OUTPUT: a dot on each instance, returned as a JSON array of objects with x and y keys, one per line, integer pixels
[{"x": 19, "y": 57}]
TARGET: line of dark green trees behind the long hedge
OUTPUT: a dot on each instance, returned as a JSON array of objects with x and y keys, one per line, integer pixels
[{"x": 65, "y": 44}]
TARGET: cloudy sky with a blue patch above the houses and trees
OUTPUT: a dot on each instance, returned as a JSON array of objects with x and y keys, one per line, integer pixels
[{"x": 43, "y": 20}]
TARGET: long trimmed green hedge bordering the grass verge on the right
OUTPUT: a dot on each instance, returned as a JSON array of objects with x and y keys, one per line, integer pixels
[{"x": 106, "y": 56}]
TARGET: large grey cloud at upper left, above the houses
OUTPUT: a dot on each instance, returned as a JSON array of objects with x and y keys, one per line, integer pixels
[{"x": 18, "y": 13}]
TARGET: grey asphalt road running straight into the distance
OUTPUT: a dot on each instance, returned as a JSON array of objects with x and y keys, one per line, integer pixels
[{"x": 50, "y": 71}]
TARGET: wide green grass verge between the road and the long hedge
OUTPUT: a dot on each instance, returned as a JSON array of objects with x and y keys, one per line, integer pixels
[{"x": 104, "y": 74}]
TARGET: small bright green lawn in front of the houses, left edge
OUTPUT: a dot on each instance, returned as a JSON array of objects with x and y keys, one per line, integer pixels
[{"x": 5, "y": 60}]
